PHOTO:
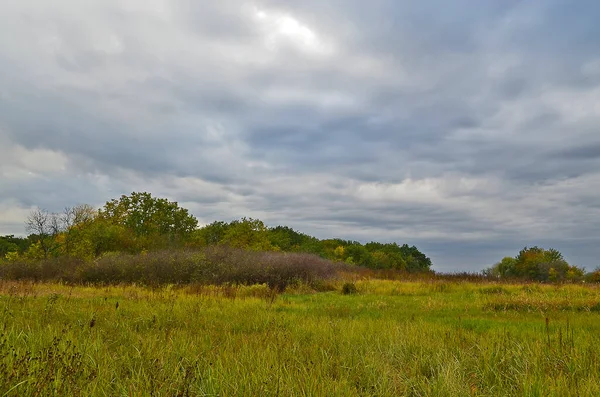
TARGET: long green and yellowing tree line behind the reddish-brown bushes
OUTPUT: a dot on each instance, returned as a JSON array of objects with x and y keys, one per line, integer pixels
[{"x": 139, "y": 223}]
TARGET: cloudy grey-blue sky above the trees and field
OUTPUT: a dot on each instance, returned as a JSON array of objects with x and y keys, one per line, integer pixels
[{"x": 469, "y": 129}]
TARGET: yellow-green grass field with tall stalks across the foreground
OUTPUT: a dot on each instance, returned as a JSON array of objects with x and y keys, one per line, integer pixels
[{"x": 392, "y": 338}]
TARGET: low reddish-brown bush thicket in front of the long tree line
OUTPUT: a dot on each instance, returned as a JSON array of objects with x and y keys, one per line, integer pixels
[{"x": 211, "y": 265}]
